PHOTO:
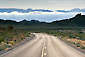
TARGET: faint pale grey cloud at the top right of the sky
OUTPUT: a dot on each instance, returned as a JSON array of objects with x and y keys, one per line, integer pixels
[{"x": 66, "y": 2}]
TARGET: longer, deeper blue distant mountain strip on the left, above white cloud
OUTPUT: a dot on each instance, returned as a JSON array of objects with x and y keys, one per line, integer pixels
[{"x": 9, "y": 10}]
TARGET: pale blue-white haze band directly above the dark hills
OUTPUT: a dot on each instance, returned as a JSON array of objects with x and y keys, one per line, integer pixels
[{"x": 40, "y": 17}]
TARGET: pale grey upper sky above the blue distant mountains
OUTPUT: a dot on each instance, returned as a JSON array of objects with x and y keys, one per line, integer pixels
[{"x": 43, "y": 4}]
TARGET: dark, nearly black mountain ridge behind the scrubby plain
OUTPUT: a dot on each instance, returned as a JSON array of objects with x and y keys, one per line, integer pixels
[{"x": 77, "y": 21}]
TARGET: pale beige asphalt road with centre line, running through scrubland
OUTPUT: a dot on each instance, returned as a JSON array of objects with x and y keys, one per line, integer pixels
[{"x": 44, "y": 45}]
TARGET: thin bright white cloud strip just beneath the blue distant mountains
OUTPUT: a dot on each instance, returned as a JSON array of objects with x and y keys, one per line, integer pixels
[{"x": 30, "y": 13}]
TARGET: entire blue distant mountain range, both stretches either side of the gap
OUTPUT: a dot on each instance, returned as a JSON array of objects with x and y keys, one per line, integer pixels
[{"x": 9, "y": 10}]
